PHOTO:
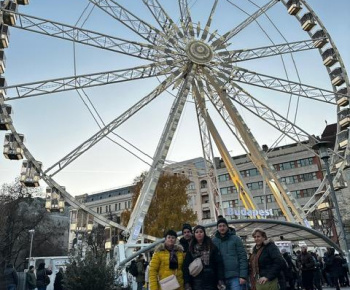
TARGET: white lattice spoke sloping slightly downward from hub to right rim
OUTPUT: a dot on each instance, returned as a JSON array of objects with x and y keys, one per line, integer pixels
[{"x": 277, "y": 84}]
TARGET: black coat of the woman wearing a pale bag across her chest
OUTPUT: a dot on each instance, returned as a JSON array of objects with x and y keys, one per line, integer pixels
[{"x": 210, "y": 275}]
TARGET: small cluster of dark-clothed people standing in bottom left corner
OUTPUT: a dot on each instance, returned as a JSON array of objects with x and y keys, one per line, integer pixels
[{"x": 38, "y": 280}]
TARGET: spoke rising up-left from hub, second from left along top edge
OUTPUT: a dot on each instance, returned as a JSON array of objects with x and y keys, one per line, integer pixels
[{"x": 163, "y": 19}]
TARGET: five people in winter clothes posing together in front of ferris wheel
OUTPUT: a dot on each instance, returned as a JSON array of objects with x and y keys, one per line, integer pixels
[{"x": 225, "y": 264}]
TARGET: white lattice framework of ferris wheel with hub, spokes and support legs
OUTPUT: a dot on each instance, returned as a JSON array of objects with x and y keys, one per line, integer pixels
[{"x": 198, "y": 64}]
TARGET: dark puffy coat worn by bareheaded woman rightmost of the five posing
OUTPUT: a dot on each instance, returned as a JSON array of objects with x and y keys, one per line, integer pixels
[{"x": 270, "y": 261}]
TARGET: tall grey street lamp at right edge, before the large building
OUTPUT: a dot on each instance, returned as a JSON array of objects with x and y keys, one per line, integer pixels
[{"x": 322, "y": 147}]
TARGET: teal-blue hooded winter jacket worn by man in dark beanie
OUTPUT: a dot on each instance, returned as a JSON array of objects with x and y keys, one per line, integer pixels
[{"x": 233, "y": 254}]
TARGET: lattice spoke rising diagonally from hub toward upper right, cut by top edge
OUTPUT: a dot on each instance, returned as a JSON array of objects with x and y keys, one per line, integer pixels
[{"x": 220, "y": 42}]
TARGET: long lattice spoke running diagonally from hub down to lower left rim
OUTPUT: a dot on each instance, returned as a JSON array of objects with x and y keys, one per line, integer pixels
[{"x": 78, "y": 151}]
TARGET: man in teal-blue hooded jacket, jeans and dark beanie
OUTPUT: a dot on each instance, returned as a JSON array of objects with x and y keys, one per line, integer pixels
[{"x": 233, "y": 254}]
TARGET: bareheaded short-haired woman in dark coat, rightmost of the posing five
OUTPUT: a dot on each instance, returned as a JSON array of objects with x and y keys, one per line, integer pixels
[{"x": 265, "y": 263}]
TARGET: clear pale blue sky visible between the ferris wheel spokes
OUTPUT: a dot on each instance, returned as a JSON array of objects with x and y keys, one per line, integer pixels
[{"x": 55, "y": 124}]
